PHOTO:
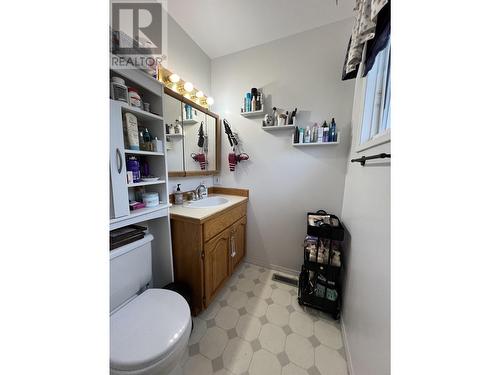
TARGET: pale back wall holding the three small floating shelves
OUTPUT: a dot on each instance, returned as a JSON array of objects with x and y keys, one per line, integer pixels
[{"x": 285, "y": 182}]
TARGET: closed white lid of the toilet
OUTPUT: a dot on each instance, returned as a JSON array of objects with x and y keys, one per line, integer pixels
[{"x": 147, "y": 328}]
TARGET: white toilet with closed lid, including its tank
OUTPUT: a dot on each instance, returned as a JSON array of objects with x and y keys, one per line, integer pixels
[{"x": 149, "y": 328}]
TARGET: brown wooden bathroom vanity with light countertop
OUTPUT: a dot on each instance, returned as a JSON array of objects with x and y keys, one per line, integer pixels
[{"x": 208, "y": 243}]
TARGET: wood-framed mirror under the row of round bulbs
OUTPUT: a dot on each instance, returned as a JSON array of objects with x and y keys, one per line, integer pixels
[{"x": 193, "y": 137}]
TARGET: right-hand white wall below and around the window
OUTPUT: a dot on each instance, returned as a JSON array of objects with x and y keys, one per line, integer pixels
[{"x": 366, "y": 216}]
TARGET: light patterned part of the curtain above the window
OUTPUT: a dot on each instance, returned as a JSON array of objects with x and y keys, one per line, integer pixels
[{"x": 364, "y": 30}]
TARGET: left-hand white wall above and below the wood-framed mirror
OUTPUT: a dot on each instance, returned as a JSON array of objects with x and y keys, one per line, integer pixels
[{"x": 189, "y": 61}]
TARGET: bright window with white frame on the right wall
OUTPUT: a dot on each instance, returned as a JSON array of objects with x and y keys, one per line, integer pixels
[{"x": 376, "y": 123}]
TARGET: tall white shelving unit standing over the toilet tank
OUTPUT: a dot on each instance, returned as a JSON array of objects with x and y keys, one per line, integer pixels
[{"x": 156, "y": 219}]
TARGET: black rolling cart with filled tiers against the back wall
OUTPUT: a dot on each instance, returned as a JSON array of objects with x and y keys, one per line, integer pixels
[{"x": 319, "y": 281}]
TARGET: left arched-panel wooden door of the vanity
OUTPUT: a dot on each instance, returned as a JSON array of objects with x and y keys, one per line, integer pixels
[{"x": 216, "y": 260}]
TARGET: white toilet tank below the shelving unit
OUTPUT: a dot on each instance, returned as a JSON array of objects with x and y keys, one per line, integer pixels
[{"x": 129, "y": 270}]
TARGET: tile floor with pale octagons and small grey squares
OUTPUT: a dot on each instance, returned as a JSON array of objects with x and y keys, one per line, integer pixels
[{"x": 255, "y": 326}]
